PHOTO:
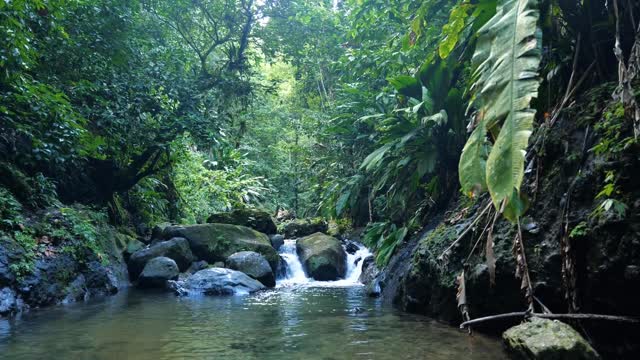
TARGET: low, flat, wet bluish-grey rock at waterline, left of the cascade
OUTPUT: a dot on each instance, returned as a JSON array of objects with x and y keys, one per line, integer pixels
[{"x": 217, "y": 281}]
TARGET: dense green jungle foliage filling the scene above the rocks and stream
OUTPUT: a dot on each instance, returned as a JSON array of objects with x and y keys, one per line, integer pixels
[{"x": 372, "y": 111}]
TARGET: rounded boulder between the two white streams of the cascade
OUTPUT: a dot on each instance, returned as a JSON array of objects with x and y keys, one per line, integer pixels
[{"x": 322, "y": 257}]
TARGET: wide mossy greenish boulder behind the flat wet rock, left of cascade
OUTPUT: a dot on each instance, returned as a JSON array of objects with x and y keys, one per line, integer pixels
[{"x": 216, "y": 242}]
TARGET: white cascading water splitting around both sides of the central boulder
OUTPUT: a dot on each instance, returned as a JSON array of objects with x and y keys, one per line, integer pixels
[{"x": 295, "y": 274}]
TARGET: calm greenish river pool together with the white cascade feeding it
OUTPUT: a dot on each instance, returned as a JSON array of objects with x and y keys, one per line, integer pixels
[{"x": 299, "y": 319}]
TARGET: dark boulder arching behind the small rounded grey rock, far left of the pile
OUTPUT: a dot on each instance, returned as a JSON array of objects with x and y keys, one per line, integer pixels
[{"x": 176, "y": 249}]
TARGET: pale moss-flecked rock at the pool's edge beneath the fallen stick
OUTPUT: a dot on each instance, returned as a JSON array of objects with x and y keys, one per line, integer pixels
[{"x": 546, "y": 339}]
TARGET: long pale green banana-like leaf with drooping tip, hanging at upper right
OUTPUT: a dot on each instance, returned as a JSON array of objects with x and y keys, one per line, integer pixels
[{"x": 506, "y": 64}]
